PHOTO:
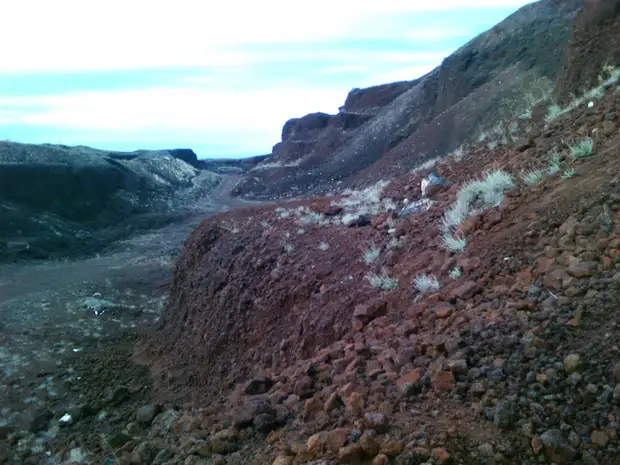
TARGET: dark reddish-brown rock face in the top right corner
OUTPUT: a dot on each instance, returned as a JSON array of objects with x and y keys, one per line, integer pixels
[{"x": 594, "y": 44}]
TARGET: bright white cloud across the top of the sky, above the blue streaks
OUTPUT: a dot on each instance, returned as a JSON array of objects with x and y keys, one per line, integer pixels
[{"x": 70, "y": 35}]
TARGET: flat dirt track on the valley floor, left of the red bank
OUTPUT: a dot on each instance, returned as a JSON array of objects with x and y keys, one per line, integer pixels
[{"x": 58, "y": 319}]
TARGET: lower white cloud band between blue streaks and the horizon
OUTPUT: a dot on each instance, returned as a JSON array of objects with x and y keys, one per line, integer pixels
[{"x": 170, "y": 109}]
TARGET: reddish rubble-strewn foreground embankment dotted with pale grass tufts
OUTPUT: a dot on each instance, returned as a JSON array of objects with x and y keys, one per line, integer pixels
[{"x": 478, "y": 328}]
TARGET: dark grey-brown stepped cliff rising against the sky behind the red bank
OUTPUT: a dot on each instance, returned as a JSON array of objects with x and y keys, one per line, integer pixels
[{"x": 393, "y": 127}]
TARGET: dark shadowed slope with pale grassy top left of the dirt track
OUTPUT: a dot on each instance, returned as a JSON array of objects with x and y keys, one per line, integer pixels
[{"x": 67, "y": 201}]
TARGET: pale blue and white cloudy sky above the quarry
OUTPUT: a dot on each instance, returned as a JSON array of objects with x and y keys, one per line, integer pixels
[{"x": 220, "y": 77}]
